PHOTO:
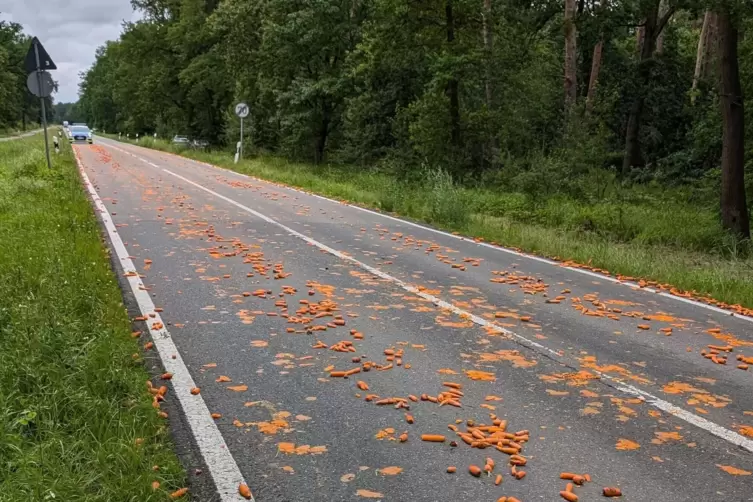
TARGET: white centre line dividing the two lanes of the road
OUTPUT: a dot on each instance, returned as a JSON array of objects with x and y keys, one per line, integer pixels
[{"x": 700, "y": 422}]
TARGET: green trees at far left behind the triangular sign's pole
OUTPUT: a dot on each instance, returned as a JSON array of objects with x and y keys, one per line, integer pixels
[{"x": 18, "y": 106}]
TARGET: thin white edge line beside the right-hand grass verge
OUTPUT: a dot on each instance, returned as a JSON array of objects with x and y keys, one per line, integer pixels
[{"x": 630, "y": 284}]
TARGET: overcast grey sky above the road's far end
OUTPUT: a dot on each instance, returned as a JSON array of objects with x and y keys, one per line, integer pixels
[{"x": 70, "y": 31}]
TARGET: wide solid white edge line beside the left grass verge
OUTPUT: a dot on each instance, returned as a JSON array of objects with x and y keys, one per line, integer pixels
[{"x": 220, "y": 462}]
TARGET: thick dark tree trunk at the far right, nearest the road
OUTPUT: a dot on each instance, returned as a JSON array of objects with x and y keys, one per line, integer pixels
[{"x": 734, "y": 208}]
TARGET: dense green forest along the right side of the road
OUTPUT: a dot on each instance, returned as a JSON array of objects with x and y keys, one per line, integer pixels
[{"x": 539, "y": 94}]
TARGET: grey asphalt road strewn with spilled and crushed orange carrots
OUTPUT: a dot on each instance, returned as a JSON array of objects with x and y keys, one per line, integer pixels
[{"x": 589, "y": 367}]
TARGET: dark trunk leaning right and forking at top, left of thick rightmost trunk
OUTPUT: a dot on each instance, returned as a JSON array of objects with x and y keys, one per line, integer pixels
[{"x": 652, "y": 27}]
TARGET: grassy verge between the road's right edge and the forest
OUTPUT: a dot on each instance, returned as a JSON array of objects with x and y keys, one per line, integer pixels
[{"x": 671, "y": 236}]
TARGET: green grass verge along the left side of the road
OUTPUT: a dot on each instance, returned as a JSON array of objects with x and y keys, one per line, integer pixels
[{"x": 73, "y": 401}]
